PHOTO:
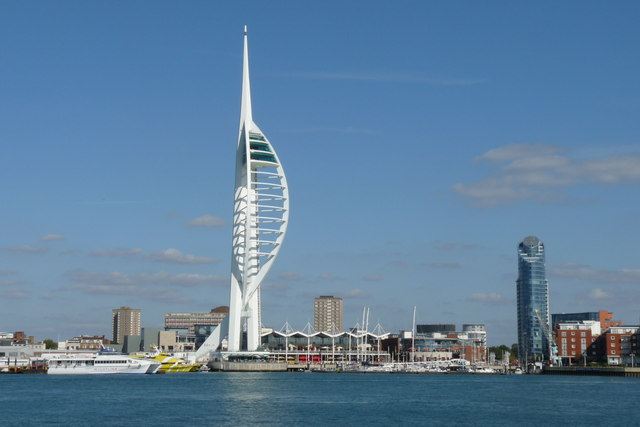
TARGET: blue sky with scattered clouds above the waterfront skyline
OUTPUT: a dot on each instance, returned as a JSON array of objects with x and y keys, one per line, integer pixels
[{"x": 421, "y": 140}]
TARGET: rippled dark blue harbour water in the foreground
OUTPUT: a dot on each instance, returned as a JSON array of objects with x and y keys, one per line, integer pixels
[{"x": 318, "y": 399}]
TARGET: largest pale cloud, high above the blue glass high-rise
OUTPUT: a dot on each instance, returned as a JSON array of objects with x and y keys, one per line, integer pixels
[{"x": 539, "y": 172}]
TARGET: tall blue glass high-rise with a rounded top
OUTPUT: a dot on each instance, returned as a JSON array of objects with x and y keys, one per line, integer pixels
[{"x": 532, "y": 301}]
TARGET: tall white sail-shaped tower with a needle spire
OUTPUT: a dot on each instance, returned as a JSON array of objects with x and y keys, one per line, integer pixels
[{"x": 260, "y": 217}]
